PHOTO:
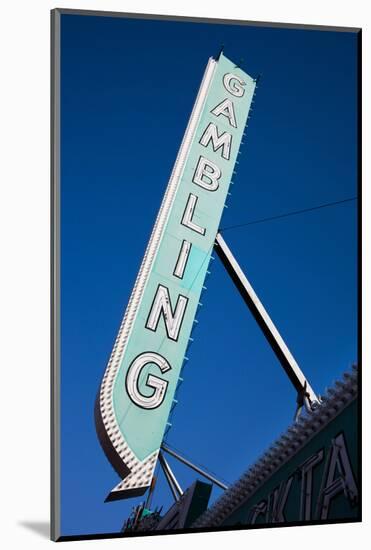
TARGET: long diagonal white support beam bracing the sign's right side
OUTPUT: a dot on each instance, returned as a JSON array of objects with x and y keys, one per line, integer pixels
[{"x": 306, "y": 394}]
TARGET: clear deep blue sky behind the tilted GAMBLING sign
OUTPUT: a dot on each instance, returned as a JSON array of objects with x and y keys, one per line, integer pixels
[{"x": 127, "y": 89}]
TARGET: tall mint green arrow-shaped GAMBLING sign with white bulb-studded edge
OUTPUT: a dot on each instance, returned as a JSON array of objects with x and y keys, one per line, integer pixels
[{"x": 137, "y": 391}]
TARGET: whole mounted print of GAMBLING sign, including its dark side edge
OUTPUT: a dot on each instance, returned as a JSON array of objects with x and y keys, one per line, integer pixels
[{"x": 205, "y": 275}]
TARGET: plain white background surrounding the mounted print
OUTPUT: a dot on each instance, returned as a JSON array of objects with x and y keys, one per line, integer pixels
[{"x": 24, "y": 291}]
